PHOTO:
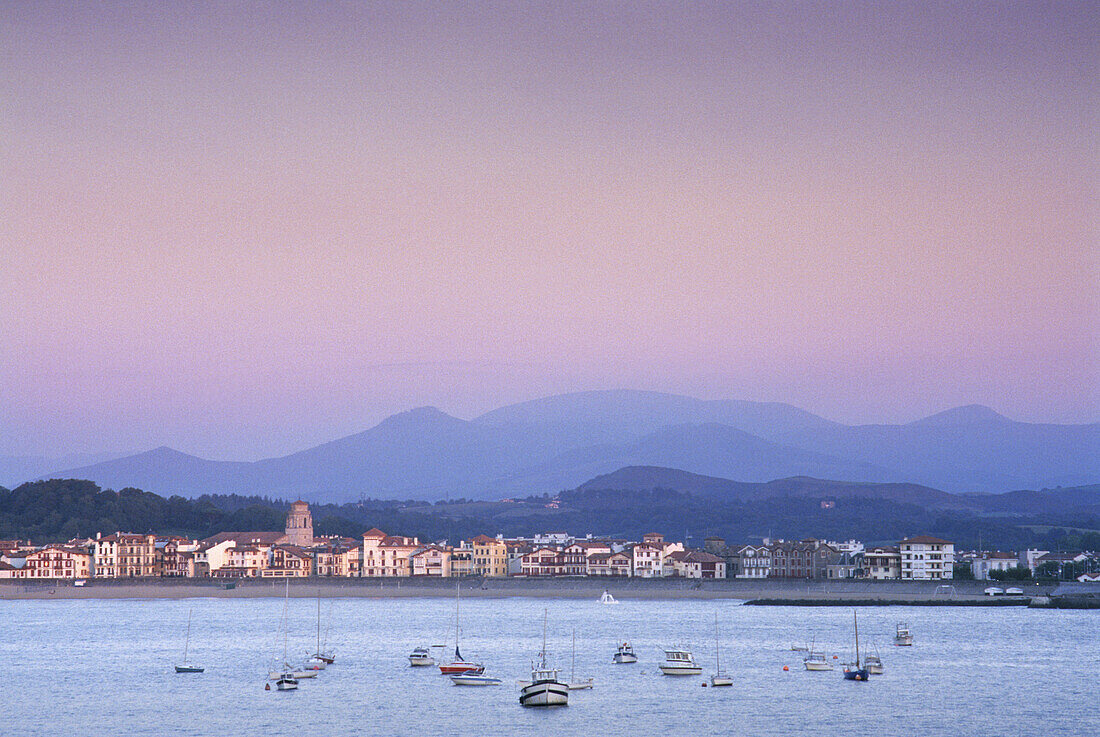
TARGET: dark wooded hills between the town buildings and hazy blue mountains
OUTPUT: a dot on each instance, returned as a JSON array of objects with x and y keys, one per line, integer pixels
[{"x": 60, "y": 510}]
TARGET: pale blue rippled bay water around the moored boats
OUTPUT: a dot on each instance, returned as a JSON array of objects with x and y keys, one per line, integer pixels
[{"x": 75, "y": 667}]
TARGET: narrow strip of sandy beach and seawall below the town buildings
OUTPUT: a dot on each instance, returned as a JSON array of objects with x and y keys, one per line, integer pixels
[{"x": 775, "y": 592}]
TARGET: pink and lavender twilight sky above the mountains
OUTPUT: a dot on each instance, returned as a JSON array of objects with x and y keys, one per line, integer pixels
[{"x": 245, "y": 229}]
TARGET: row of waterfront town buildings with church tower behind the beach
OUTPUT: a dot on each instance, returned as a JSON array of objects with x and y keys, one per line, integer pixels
[{"x": 296, "y": 553}]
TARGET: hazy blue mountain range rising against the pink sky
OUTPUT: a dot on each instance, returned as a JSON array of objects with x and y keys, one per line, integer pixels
[{"x": 563, "y": 442}]
